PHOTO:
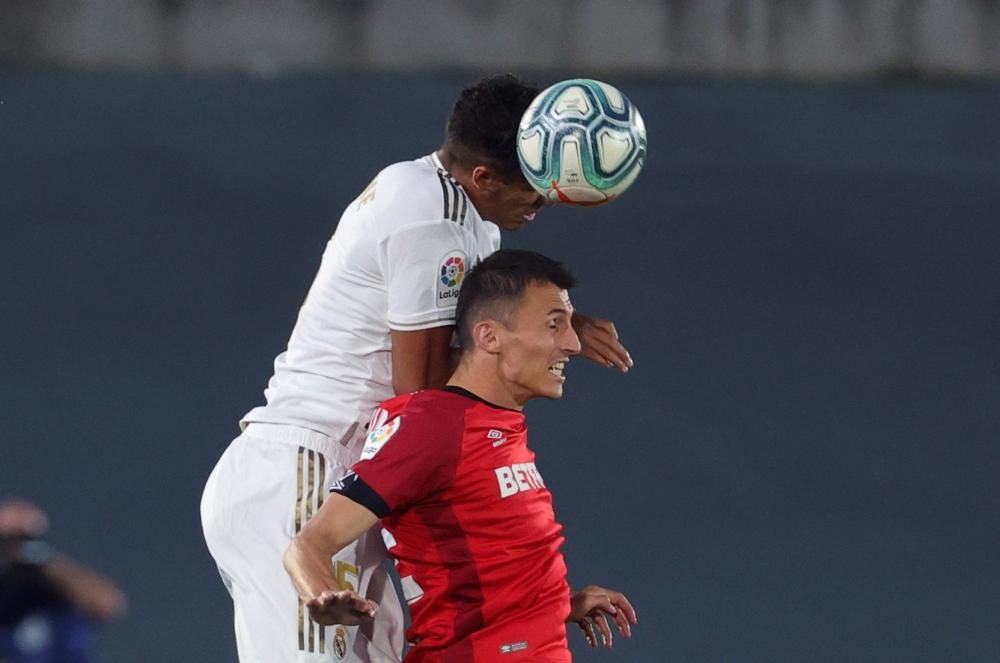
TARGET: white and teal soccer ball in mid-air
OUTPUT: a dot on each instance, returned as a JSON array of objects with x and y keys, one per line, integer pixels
[{"x": 581, "y": 142}]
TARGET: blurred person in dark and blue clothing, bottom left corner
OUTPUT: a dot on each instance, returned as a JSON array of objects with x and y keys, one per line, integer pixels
[{"x": 49, "y": 604}]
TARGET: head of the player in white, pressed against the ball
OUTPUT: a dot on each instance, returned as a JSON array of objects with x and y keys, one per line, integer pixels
[{"x": 480, "y": 149}]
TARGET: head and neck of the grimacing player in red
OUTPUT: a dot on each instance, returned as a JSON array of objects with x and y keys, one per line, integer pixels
[{"x": 514, "y": 326}]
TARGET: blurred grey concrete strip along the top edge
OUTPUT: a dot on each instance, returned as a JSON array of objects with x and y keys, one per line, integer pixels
[{"x": 798, "y": 38}]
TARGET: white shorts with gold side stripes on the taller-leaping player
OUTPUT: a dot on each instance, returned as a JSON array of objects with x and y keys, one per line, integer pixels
[{"x": 267, "y": 484}]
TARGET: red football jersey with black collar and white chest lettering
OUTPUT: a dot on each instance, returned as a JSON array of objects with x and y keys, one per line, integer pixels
[{"x": 470, "y": 523}]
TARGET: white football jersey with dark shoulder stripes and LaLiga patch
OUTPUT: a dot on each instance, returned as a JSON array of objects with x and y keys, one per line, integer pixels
[{"x": 396, "y": 261}]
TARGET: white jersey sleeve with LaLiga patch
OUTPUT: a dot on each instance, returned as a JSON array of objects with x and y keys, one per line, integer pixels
[{"x": 424, "y": 266}]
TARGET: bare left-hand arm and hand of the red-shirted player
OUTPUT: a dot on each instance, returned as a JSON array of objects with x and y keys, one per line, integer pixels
[{"x": 339, "y": 522}]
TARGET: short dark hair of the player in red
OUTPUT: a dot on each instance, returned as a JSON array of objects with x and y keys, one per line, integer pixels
[{"x": 492, "y": 288}]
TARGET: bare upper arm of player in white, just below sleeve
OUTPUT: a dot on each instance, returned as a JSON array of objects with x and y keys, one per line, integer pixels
[{"x": 421, "y": 359}]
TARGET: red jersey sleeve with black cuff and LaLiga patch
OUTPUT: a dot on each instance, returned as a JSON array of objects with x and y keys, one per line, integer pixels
[{"x": 407, "y": 459}]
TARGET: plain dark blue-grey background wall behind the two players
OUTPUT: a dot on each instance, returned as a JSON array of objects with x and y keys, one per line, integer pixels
[{"x": 801, "y": 467}]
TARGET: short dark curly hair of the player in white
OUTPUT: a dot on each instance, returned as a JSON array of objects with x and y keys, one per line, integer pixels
[{"x": 482, "y": 127}]
